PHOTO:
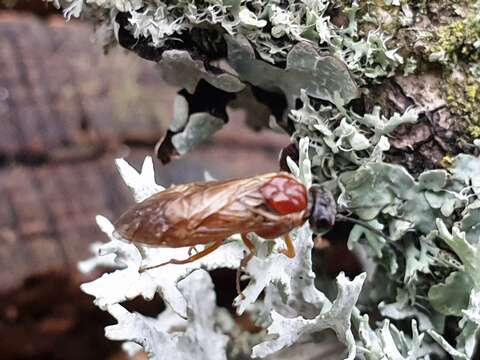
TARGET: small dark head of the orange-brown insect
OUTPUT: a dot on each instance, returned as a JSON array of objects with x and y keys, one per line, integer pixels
[{"x": 322, "y": 209}]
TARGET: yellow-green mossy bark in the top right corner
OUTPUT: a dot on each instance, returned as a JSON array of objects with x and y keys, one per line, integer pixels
[{"x": 444, "y": 32}]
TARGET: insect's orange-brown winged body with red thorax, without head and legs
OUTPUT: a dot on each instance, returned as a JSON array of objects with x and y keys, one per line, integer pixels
[{"x": 269, "y": 205}]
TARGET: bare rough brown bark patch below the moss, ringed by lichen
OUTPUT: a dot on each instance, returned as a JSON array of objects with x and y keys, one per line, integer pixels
[{"x": 421, "y": 146}]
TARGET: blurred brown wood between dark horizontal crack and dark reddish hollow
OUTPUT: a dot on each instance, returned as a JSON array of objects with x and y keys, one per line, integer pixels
[{"x": 48, "y": 221}]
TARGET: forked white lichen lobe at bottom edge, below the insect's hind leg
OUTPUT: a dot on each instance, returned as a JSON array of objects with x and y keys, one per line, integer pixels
[{"x": 201, "y": 338}]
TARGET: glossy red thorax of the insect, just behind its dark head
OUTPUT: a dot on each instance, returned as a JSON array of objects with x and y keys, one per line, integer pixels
[{"x": 285, "y": 195}]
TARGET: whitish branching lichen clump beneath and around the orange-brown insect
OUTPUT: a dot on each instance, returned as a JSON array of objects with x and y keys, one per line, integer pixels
[{"x": 187, "y": 289}]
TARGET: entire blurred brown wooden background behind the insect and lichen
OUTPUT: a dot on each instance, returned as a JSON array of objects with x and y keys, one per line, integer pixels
[{"x": 66, "y": 111}]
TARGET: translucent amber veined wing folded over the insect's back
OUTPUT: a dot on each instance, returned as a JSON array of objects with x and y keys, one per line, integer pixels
[{"x": 193, "y": 213}]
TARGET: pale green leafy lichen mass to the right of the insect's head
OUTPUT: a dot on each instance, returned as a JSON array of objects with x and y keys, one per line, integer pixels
[{"x": 433, "y": 270}]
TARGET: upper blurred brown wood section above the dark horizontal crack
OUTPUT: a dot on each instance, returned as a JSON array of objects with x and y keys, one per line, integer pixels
[{"x": 59, "y": 94}]
